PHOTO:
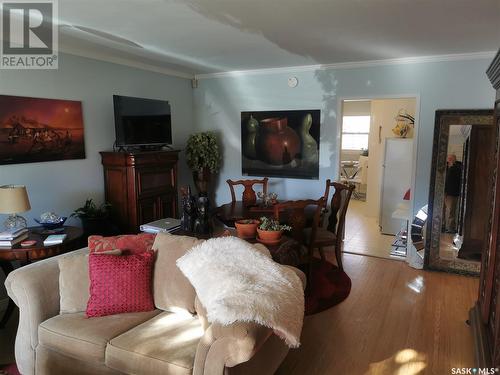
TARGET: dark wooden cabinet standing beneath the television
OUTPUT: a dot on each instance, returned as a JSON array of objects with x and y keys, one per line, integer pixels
[{"x": 141, "y": 186}]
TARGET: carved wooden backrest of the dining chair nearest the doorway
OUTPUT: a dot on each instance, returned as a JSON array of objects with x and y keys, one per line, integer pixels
[{"x": 338, "y": 206}]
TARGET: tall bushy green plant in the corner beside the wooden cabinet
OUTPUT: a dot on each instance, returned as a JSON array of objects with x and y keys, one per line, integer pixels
[{"x": 203, "y": 158}]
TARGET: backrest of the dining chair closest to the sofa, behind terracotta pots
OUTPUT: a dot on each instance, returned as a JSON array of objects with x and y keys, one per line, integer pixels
[{"x": 295, "y": 212}]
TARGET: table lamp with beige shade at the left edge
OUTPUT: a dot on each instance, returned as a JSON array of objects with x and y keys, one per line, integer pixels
[{"x": 13, "y": 200}]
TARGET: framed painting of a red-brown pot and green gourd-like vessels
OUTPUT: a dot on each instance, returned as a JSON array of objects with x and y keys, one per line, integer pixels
[{"x": 281, "y": 143}]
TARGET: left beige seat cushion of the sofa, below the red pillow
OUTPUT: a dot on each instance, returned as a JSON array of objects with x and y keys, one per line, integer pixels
[{"x": 83, "y": 338}]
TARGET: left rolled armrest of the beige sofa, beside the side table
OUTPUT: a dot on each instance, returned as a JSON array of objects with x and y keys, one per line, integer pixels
[{"x": 35, "y": 290}]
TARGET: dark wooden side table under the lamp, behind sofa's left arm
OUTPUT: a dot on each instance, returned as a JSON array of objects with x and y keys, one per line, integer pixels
[{"x": 38, "y": 251}]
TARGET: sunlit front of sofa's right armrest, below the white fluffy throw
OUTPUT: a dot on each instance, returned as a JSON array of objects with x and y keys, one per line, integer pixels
[{"x": 228, "y": 346}]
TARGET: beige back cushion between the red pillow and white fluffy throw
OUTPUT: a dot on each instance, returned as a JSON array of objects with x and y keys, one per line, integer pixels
[{"x": 171, "y": 289}]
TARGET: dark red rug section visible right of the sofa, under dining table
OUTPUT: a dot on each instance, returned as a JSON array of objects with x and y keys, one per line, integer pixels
[{"x": 328, "y": 287}]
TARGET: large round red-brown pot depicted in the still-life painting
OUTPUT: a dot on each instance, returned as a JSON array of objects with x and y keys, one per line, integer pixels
[{"x": 276, "y": 142}]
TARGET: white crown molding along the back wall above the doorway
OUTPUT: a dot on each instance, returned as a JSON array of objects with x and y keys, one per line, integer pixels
[{"x": 352, "y": 65}]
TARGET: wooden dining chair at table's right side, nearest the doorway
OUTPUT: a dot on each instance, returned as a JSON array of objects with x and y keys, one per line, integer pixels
[{"x": 331, "y": 233}]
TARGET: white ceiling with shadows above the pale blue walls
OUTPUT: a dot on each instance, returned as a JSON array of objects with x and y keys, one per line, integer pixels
[{"x": 205, "y": 36}]
